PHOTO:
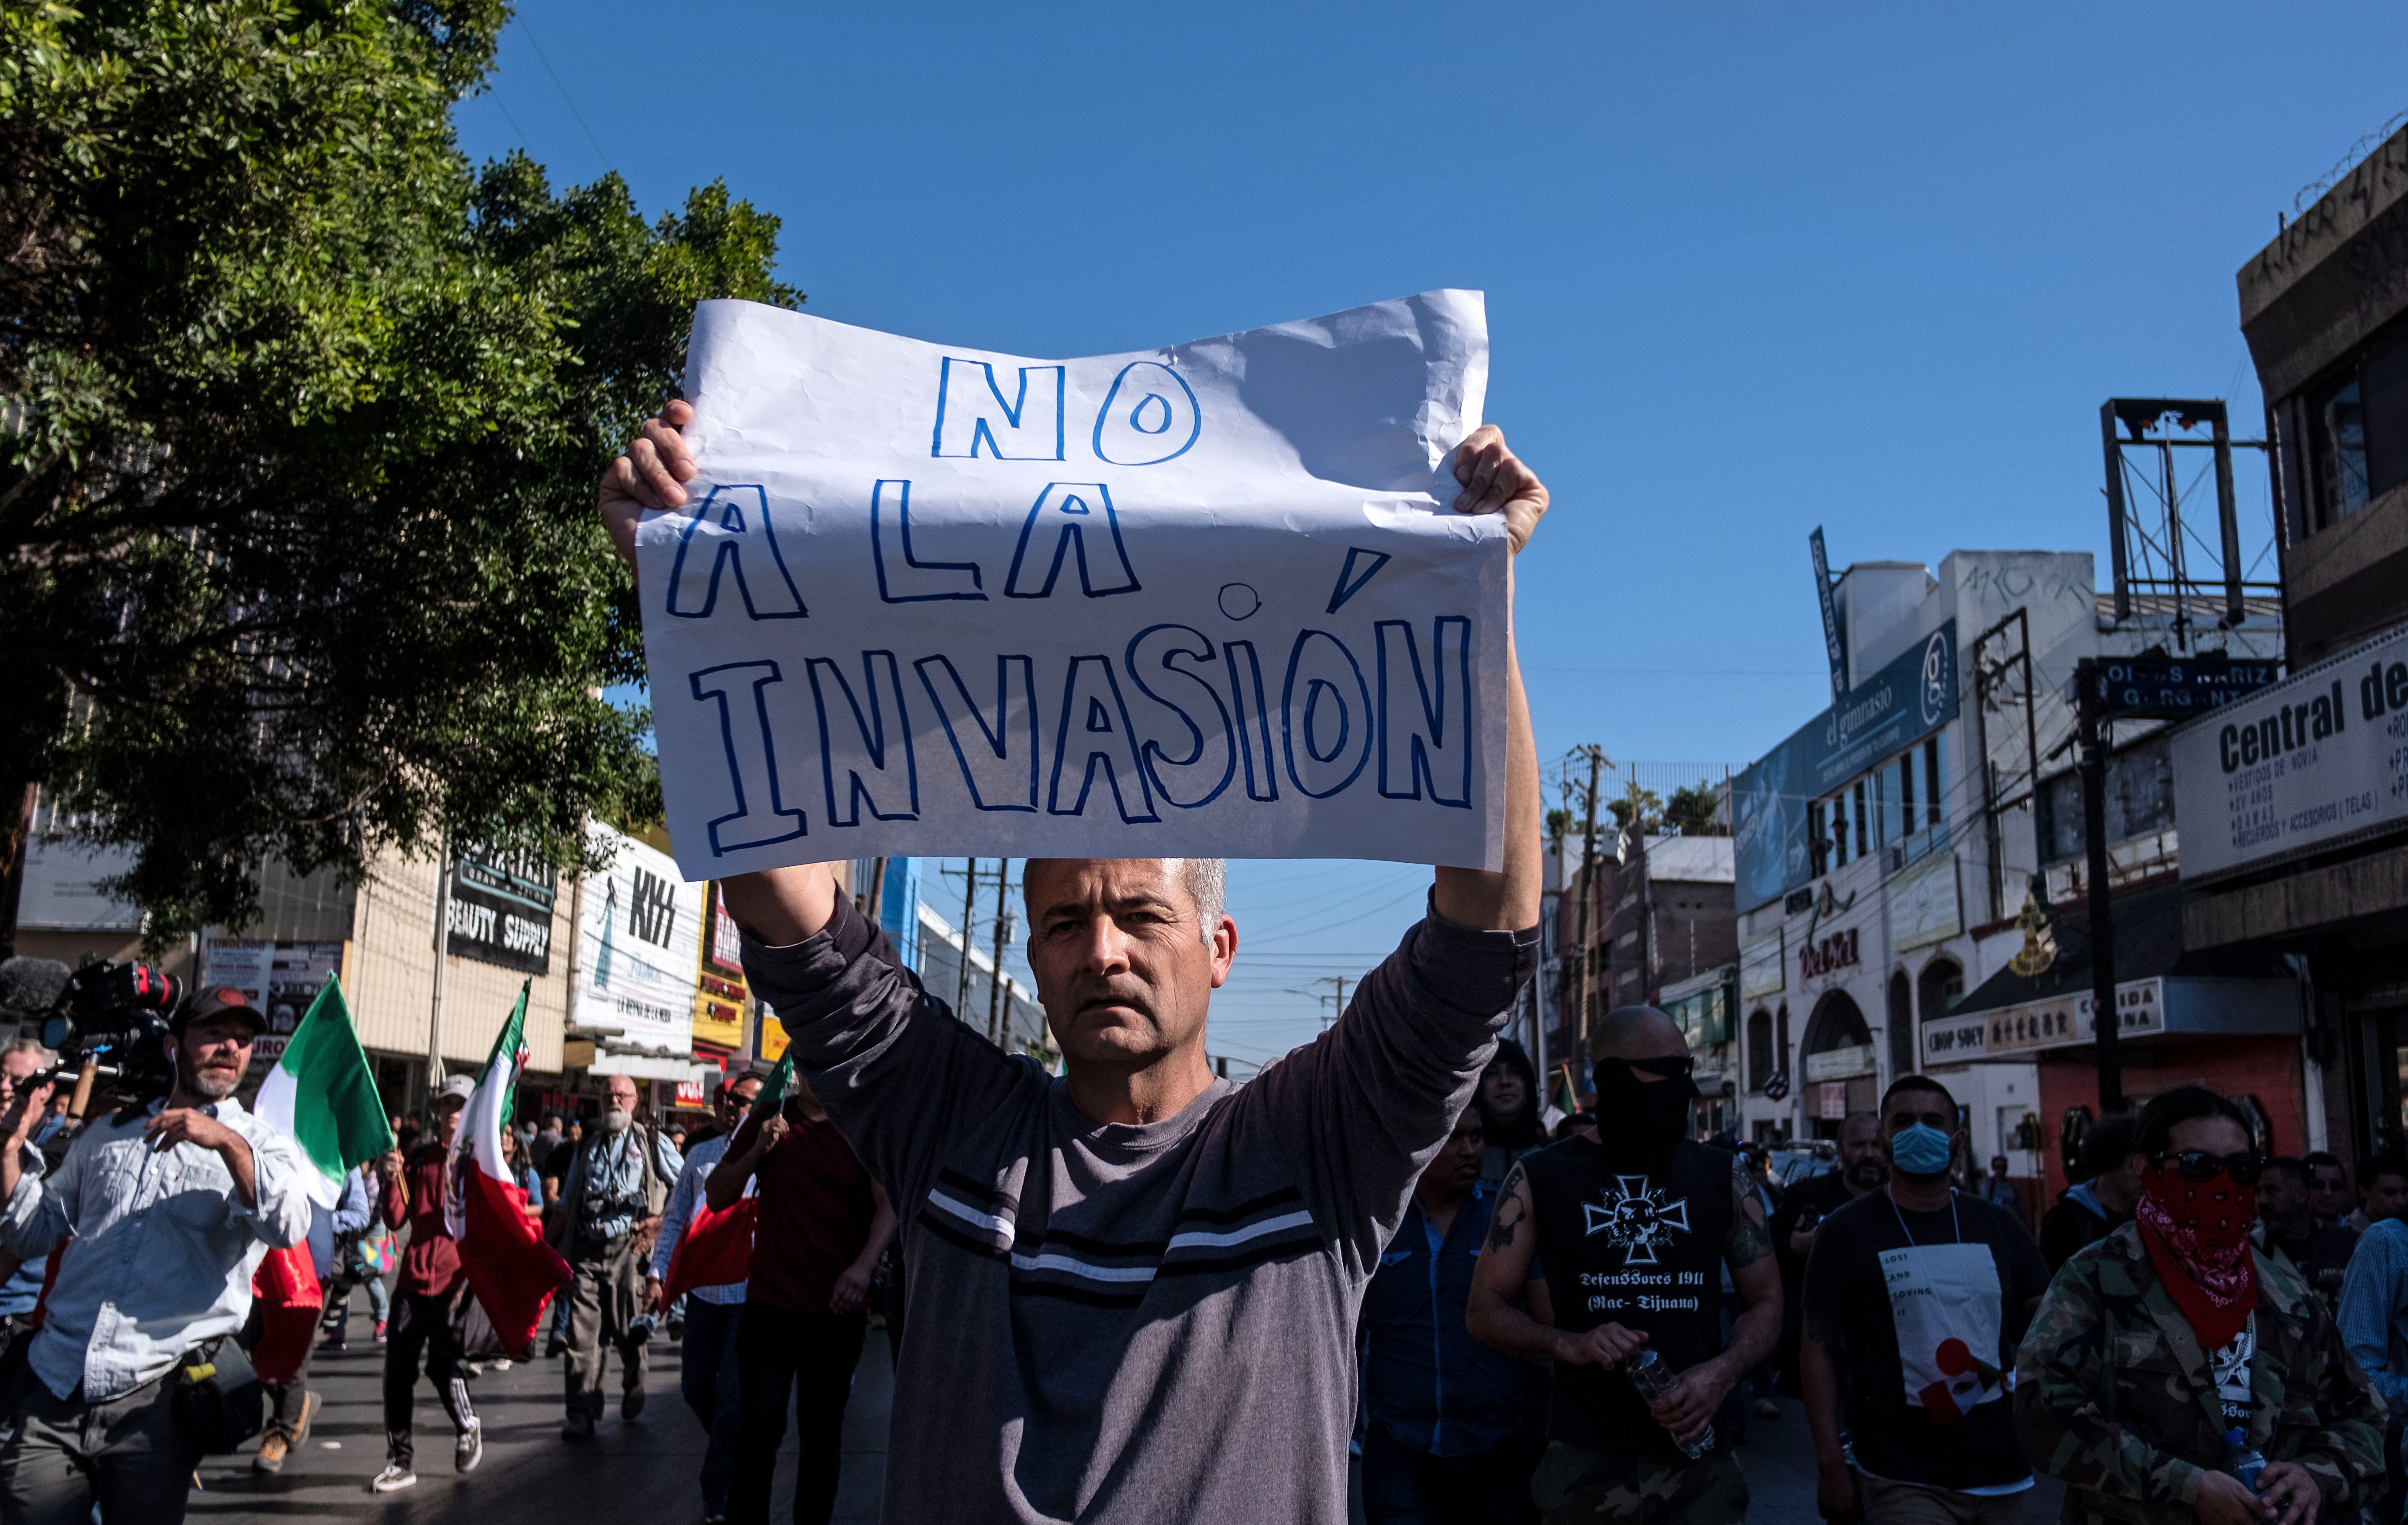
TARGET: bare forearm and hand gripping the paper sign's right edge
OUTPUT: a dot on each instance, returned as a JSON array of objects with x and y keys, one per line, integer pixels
[{"x": 1504, "y": 902}]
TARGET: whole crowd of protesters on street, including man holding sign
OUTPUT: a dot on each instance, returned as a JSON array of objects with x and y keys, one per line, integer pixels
[{"x": 1140, "y": 1293}]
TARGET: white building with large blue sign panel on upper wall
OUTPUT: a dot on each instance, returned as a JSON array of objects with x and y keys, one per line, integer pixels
[{"x": 1894, "y": 852}]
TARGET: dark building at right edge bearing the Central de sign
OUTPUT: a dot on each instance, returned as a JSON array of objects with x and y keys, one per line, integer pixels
[{"x": 2298, "y": 799}]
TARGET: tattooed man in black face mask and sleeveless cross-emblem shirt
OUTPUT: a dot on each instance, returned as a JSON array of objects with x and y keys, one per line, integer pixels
[{"x": 1634, "y": 1230}]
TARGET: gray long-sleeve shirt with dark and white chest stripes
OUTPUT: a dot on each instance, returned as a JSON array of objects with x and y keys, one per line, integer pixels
[{"x": 1135, "y": 1324}]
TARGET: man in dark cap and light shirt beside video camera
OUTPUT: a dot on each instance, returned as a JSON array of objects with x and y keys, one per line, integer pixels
[{"x": 167, "y": 1213}]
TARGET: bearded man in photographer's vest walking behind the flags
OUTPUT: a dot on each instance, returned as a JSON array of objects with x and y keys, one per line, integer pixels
[{"x": 603, "y": 1227}]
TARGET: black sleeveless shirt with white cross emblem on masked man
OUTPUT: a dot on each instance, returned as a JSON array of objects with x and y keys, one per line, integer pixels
[{"x": 1641, "y": 1249}]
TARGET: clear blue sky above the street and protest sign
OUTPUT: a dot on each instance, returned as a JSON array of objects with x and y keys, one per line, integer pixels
[{"x": 1749, "y": 269}]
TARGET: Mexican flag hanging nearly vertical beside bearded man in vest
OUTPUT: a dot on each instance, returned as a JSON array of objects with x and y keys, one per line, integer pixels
[{"x": 509, "y": 1266}]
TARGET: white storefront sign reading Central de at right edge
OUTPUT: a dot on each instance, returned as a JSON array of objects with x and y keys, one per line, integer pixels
[{"x": 2296, "y": 767}]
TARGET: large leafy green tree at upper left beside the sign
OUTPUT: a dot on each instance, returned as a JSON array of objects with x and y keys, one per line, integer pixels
[{"x": 300, "y": 420}]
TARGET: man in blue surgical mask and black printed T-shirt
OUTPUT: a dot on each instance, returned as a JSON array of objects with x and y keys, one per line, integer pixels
[{"x": 1923, "y": 1295}]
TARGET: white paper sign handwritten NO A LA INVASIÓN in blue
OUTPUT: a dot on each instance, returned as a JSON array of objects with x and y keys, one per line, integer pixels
[{"x": 1198, "y": 601}]
